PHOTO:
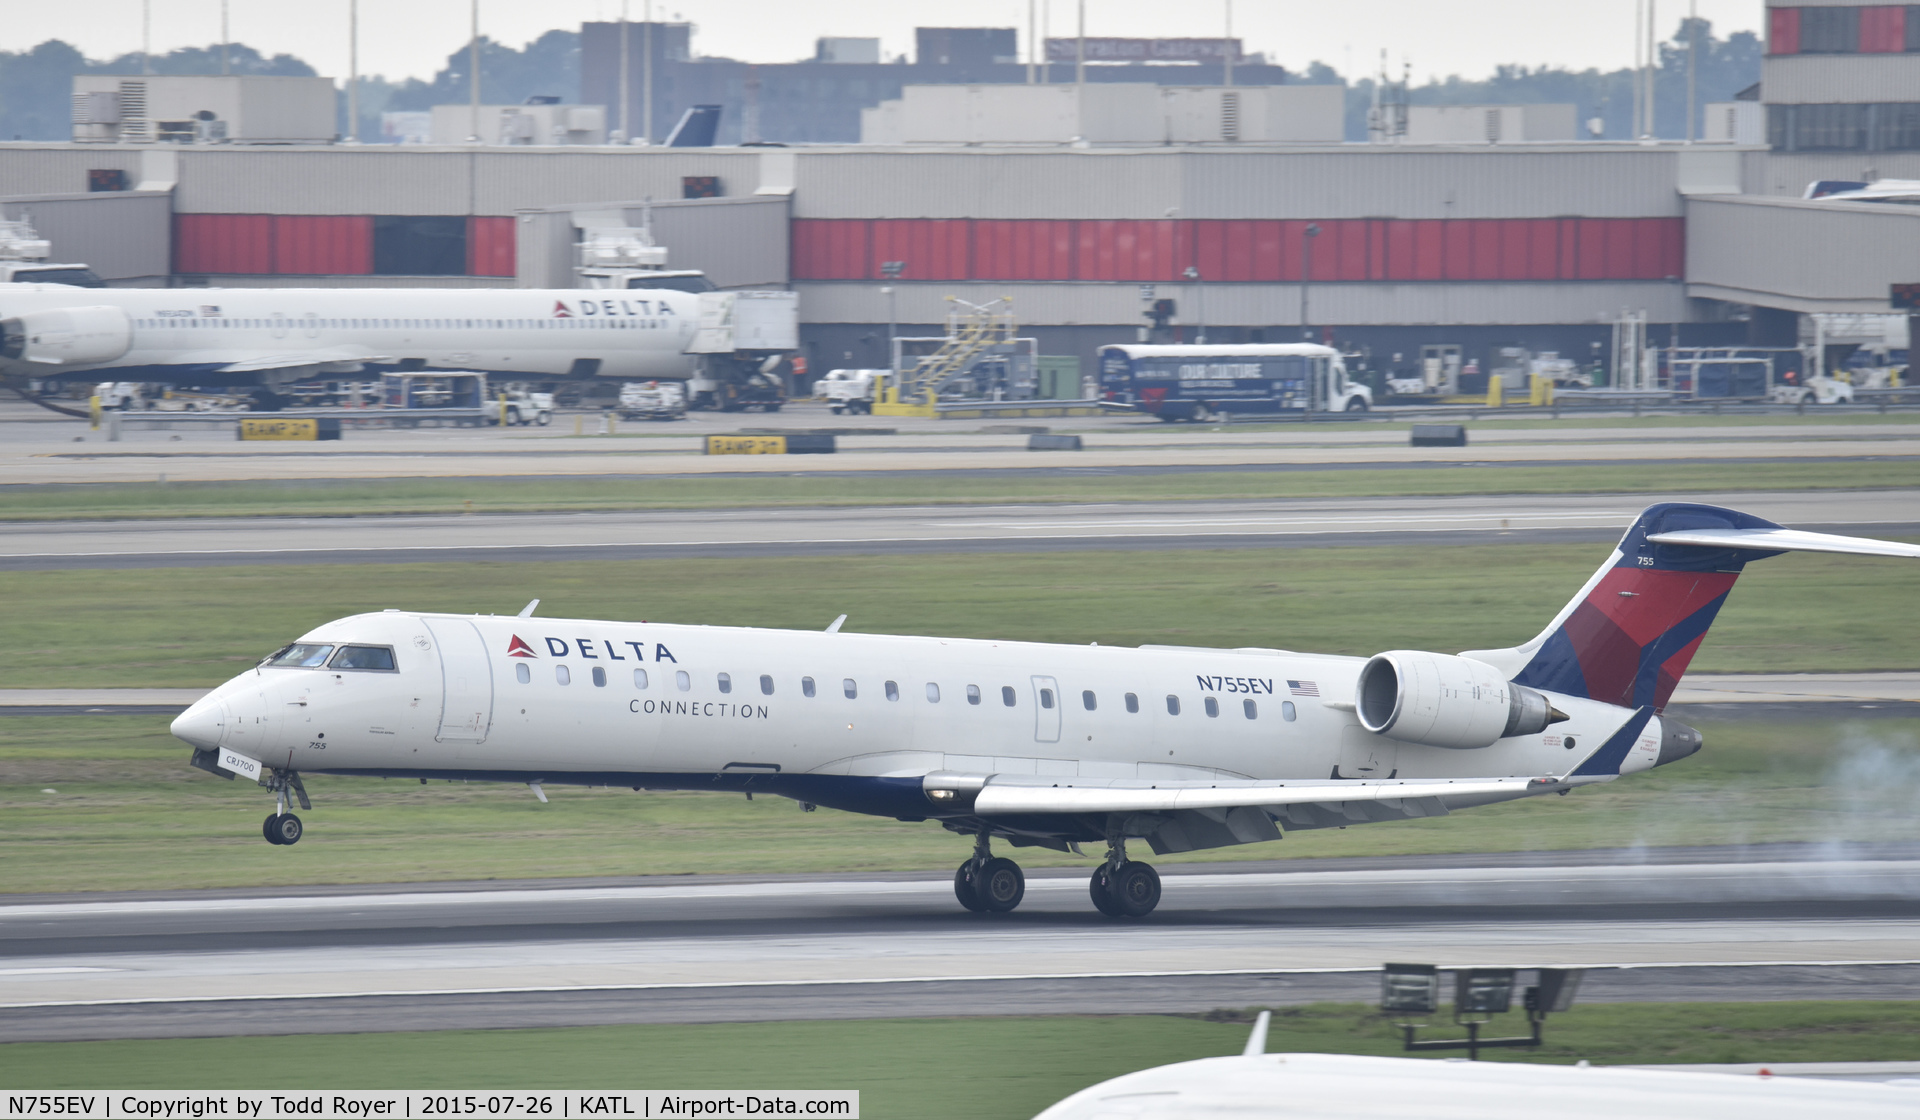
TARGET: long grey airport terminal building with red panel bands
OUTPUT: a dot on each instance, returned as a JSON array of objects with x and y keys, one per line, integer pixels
[{"x": 1387, "y": 247}]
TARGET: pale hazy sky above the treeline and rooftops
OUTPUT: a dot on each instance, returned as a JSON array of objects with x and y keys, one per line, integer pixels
[{"x": 414, "y": 37}]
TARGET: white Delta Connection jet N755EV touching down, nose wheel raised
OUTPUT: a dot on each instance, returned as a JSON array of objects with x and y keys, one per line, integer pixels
[{"x": 1051, "y": 746}]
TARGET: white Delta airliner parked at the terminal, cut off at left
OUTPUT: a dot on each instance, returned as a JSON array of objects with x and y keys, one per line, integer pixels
[{"x": 272, "y": 337}]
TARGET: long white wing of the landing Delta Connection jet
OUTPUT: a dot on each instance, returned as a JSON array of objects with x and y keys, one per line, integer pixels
[{"x": 1001, "y": 798}]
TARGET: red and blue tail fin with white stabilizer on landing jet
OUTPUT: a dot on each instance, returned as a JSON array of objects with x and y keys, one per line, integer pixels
[{"x": 1631, "y": 633}]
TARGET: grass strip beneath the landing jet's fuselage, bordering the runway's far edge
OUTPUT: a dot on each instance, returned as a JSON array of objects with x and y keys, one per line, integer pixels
[{"x": 99, "y": 804}]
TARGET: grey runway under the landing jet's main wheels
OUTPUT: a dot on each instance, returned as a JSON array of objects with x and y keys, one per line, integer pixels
[{"x": 1712, "y": 925}]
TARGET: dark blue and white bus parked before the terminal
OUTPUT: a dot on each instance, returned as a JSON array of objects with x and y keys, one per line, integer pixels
[{"x": 1197, "y": 383}]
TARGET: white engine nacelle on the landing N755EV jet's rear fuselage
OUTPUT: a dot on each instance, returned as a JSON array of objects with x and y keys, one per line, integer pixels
[{"x": 1447, "y": 702}]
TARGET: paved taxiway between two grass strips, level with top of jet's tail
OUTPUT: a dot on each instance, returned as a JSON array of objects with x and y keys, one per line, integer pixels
[{"x": 736, "y": 533}]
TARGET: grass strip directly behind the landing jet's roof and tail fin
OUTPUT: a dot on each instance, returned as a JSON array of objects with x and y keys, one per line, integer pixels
[{"x": 199, "y": 627}]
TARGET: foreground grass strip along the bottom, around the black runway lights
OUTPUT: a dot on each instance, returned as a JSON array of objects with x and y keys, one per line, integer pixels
[{"x": 934, "y": 1069}]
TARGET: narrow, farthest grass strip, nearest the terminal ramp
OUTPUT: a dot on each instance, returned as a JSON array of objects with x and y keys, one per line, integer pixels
[{"x": 517, "y": 495}]
